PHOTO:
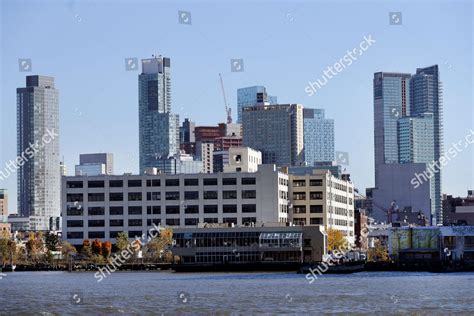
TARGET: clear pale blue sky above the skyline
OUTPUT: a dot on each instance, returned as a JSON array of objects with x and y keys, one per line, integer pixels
[{"x": 284, "y": 45}]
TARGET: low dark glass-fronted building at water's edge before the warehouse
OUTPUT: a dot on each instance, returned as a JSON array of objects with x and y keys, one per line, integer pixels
[{"x": 269, "y": 245}]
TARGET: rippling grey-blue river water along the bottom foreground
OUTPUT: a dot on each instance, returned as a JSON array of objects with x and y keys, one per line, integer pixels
[{"x": 167, "y": 293}]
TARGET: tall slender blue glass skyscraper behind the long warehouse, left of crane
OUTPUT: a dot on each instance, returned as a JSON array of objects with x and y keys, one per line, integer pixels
[{"x": 158, "y": 127}]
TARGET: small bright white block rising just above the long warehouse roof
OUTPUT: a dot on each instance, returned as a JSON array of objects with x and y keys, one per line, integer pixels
[{"x": 243, "y": 159}]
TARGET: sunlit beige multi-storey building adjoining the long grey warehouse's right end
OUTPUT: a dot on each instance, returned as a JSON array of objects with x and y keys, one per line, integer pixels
[{"x": 319, "y": 198}]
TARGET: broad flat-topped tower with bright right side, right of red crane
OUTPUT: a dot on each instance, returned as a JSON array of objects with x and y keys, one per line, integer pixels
[{"x": 276, "y": 131}]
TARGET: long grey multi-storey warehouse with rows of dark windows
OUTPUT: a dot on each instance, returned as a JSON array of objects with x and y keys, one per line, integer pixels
[{"x": 102, "y": 206}]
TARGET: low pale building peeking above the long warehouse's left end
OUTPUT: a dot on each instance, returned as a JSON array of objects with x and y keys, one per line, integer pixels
[{"x": 95, "y": 164}]
